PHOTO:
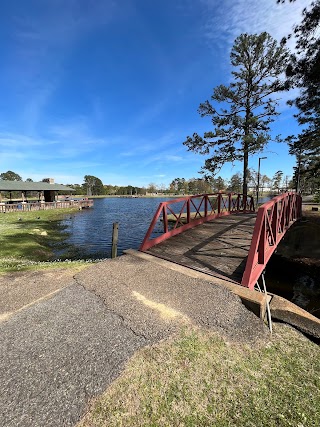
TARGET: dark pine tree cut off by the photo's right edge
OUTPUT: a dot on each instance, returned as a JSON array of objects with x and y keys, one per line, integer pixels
[{"x": 303, "y": 72}]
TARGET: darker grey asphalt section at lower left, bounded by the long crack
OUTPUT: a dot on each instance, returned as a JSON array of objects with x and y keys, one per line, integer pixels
[{"x": 58, "y": 354}]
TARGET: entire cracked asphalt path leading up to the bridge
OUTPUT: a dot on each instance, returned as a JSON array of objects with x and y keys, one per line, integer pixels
[{"x": 72, "y": 341}]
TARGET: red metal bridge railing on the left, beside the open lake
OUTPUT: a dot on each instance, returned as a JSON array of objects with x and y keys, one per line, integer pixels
[{"x": 177, "y": 215}]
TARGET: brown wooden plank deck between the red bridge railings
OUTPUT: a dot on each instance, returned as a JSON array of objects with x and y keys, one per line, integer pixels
[{"x": 218, "y": 247}]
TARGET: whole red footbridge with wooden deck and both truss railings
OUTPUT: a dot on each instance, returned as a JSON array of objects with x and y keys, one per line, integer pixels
[{"x": 221, "y": 234}]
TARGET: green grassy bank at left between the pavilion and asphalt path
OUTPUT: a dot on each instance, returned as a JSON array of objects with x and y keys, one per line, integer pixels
[{"x": 28, "y": 239}]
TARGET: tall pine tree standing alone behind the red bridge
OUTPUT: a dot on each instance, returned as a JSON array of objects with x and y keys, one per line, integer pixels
[{"x": 241, "y": 126}]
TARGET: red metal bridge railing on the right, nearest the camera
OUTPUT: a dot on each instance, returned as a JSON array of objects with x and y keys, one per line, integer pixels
[{"x": 273, "y": 220}]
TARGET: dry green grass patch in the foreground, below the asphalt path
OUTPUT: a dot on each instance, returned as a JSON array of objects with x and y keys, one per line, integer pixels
[{"x": 197, "y": 379}]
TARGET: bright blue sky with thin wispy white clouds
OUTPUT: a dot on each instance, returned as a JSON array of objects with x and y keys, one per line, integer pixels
[{"x": 111, "y": 88}]
